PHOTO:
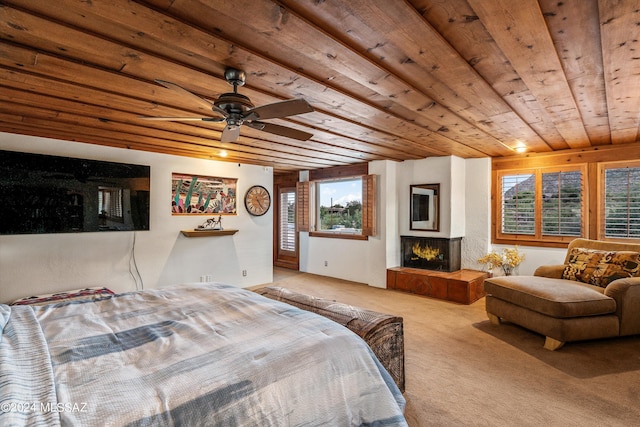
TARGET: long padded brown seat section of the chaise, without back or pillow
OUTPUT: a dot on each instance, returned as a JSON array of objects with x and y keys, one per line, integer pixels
[{"x": 562, "y": 310}]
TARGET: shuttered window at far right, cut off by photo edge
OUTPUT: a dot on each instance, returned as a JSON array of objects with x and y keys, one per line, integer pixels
[{"x": 621, "y": 207}]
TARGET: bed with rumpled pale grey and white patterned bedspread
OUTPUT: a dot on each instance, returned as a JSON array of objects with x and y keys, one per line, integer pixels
[{"x": 195, "y": 354}]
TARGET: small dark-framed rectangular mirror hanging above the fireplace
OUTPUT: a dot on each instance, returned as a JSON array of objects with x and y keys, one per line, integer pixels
[{"x": 425, "y": 207}]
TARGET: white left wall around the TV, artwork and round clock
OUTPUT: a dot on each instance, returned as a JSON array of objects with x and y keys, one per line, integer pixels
[{"x": 31, "y": 264}]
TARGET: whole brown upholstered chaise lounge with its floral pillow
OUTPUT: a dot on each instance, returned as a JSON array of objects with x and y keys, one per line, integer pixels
[{"x": 594, "y": 294}]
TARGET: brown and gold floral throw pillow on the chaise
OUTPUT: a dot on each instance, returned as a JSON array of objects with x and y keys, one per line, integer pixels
[{"x": 600, "y": 268}]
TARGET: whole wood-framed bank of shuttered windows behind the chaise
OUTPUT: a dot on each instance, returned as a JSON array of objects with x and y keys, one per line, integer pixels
[{"x": 550, "y": 199}]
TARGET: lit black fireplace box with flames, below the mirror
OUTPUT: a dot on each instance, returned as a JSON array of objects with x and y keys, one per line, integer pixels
[{"x": 431, "y": 253}]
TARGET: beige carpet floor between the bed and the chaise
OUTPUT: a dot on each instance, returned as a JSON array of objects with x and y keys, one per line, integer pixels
[{"x": 463, "y": 371}]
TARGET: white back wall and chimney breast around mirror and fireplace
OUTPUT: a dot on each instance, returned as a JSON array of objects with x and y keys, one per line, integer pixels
[{"x": 465, "y": 194}]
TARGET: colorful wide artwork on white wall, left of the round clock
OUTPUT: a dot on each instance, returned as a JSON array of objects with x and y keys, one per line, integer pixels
[{"x": 203, "y": 195}]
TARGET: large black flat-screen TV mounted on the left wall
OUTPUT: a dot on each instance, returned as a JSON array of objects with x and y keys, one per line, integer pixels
[{"x": 50, "y": 194}]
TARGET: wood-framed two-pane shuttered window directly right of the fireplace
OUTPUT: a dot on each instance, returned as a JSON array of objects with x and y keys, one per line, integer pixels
[{"x": 541, "y": 204}]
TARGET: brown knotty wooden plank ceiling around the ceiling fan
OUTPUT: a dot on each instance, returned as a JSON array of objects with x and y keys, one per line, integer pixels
[{"x": 388, "y": 79}]
